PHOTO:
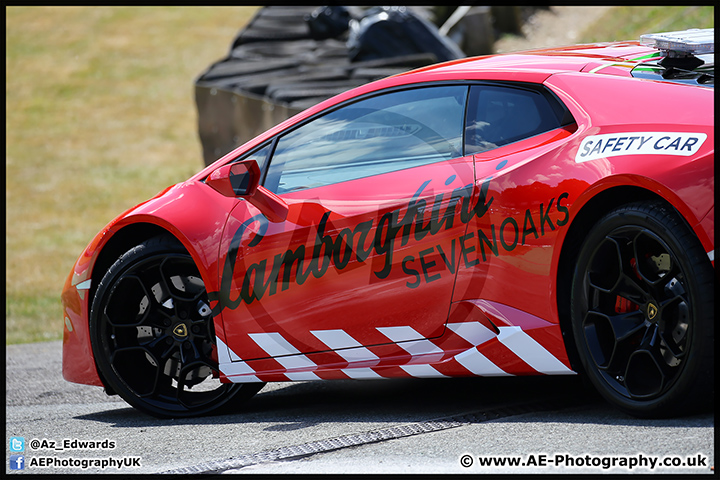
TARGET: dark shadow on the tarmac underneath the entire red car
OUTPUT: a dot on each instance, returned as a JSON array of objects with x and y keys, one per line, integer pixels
[{"x": 295, "y": 406}]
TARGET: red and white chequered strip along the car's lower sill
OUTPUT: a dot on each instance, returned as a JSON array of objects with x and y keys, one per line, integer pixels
[{"x": 511, "y": 351}]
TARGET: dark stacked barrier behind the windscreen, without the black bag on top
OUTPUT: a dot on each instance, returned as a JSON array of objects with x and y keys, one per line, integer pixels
[{"x": 287, "y": 59}]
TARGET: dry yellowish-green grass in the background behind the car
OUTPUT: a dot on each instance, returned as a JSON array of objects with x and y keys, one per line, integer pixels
[{"x": 100, "y": 115}]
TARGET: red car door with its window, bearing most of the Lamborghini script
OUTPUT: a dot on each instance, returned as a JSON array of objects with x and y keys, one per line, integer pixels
[{"x": 378, "y": 194}]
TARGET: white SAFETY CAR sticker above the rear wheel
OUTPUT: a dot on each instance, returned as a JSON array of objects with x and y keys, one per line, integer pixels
[{"x": 639, "y": 143}]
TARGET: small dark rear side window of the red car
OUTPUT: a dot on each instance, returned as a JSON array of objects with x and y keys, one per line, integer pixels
[{"x": 499, "y": 115}]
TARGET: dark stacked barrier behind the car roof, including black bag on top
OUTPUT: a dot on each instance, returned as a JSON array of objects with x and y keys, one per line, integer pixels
[{"x": 289, "y": 58}]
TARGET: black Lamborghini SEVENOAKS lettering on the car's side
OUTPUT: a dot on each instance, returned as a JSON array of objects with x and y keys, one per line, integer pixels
[{"x": 338, "y": 251}]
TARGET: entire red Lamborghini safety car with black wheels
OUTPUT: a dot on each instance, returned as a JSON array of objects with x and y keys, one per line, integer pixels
[{"x": 547, "y": 212}]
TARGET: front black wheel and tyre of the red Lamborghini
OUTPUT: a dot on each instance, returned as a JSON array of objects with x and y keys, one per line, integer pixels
[{"x": 152, "y": 334}]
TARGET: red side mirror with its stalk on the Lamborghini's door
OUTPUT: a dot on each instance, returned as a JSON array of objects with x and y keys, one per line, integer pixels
[{"x": 242, "y": 179}]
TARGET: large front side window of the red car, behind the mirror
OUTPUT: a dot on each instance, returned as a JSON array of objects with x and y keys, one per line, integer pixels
[{"x": 378, "y": 135}]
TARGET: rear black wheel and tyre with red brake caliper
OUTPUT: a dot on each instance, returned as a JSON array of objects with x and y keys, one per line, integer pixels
[{"x": 643, "y": 311}]
